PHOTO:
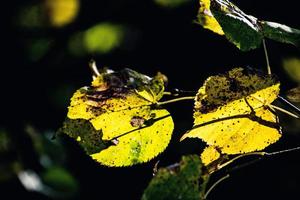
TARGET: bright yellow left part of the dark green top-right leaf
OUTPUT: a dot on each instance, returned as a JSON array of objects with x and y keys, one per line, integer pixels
[{"x": 206, "y": 18}]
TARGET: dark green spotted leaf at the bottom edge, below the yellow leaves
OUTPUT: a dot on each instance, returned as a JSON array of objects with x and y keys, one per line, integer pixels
[{"x": 182, "y": 182}]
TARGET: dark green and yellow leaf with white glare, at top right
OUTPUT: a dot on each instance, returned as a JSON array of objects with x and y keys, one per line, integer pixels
[{"x": 245, "y": 31}]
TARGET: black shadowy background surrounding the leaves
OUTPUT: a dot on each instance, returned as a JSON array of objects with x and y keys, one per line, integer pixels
[{"x": 37, "y": 92}]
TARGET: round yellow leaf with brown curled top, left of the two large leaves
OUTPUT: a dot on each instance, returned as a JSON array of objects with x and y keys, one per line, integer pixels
[{"x": 121, "y": 127}]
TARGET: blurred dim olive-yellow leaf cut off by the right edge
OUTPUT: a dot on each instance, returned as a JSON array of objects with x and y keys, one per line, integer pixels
[{"x": 292, "y": 68}]
